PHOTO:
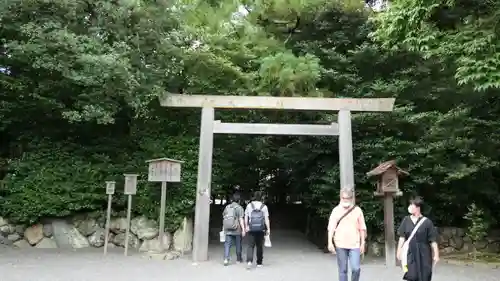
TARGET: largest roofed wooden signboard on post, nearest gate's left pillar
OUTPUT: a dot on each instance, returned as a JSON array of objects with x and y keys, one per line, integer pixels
[{"x": 163, "y": 170}]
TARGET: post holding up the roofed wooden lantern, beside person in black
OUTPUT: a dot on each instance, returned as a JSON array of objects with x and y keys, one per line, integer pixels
[{"x": 390, "y": 239}]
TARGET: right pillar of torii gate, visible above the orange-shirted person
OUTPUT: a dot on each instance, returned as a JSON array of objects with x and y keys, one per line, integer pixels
[{"x": 345, "y": 149}]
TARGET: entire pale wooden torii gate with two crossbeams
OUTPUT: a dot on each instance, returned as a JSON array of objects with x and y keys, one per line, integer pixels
[{"x": 209, "y": 127}]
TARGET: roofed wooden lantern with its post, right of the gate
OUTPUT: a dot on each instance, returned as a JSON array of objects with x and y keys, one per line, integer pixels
[{"x": 388, "y": 188}]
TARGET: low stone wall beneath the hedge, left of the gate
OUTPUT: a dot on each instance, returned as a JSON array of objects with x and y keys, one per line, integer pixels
[{"x": 85, "y": 231}]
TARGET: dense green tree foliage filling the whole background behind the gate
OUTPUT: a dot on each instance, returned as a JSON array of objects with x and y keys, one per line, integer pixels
[{"x": 80, "y": 82}]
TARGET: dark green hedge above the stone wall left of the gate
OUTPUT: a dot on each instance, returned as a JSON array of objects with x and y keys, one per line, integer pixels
[{"x": 55, "y": 180}]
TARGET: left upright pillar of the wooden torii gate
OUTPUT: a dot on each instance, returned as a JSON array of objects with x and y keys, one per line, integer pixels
[{"x": 202, "y": 209}]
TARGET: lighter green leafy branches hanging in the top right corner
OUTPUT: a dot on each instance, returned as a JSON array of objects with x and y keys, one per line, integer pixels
[{"x": 461, "y": 32}]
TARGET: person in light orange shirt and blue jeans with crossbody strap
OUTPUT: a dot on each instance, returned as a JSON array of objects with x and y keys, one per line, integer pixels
[{"x": 347, "y": 234}]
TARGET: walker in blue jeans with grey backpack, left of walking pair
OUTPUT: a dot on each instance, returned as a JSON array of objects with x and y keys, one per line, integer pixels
[{"x": 234, "y": 228}]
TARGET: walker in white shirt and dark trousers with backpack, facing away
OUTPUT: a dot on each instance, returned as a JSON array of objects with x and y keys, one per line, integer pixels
[{"x": 257, "y": 227}]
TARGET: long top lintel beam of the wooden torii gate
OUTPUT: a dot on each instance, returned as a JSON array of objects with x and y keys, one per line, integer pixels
[{"x": 271, "y": 102}]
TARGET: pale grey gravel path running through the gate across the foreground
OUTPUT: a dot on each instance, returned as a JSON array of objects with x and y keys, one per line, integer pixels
[{"x": 292, "y": 258}]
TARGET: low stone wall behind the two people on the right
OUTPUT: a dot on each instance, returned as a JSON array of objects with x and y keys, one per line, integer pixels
[{"x": 450, "y": 240}]
